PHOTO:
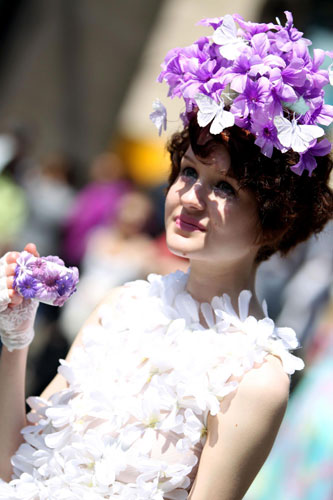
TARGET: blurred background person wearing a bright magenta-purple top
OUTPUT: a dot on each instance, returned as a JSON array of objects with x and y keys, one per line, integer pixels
[{"x": 95, "y": 205}]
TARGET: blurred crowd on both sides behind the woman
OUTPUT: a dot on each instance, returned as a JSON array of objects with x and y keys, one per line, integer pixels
[{"x": 112, "y": 230}]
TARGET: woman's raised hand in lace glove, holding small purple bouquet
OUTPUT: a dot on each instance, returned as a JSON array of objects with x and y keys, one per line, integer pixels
[{"x": 17, "y": 315}]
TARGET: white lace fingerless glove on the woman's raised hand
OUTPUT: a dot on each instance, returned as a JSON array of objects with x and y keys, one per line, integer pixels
[{"x": 17, "y": 323}]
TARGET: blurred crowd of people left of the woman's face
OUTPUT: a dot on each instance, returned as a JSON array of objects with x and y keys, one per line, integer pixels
[{"x": 108, "y": 226}]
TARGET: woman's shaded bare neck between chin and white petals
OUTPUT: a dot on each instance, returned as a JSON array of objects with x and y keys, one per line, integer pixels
[{"x": 207, "y": 281}]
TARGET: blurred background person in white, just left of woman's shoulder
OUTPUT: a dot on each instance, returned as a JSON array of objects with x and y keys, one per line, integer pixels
[{"x": 116, "y": 253}]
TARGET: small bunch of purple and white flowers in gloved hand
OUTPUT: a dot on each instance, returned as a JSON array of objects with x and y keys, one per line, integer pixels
[{"x": 46, "y": 279}]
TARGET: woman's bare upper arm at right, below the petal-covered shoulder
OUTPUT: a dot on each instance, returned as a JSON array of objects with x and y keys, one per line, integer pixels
[{"x": 241, "y": 436}]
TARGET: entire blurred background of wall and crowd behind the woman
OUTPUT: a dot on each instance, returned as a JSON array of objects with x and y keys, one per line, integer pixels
[{"x": 83, "y": 171}]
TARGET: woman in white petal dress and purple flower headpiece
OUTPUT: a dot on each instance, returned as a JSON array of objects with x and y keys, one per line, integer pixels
[{"x": 177, "y": 386}]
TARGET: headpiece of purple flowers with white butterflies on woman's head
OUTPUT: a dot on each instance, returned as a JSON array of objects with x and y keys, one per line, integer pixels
[{"x": 248, "y": 74}]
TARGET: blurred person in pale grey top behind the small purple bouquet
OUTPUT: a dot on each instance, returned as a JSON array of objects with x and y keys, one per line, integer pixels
[{"x": 50, "y": 195}]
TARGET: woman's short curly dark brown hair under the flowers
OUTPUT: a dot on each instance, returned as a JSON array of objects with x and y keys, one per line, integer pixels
[{"x": 291, "y": 207}]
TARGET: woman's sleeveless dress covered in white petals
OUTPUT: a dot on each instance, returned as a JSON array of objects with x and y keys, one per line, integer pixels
[{"x": 132, "y": 423}]
